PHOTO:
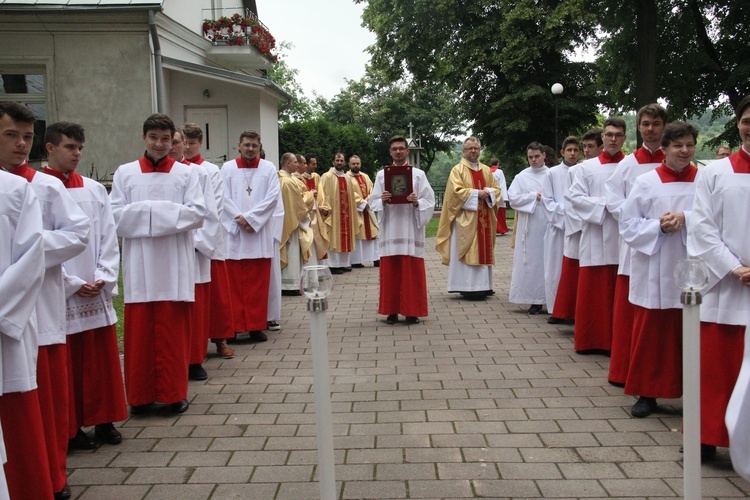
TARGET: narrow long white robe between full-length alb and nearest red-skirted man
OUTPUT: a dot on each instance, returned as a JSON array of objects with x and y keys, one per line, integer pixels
[{"x": 554, "y": 188}]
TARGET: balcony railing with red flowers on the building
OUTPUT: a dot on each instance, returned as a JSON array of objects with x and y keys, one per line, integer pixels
[{"x": 239, "y": 28}]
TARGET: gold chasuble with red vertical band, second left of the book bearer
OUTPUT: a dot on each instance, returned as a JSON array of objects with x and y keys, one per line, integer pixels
[{"x": 337, "y": 195}]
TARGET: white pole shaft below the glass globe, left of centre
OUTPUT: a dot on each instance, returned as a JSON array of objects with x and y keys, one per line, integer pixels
[{"x": 322, "y": 386}]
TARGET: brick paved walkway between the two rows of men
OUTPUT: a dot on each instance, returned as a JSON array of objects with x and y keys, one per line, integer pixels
[{"x": 479, "y": 400}]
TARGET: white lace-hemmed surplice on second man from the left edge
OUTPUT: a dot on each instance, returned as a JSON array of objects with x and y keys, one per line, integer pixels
[{"x": 99, "y": 261}]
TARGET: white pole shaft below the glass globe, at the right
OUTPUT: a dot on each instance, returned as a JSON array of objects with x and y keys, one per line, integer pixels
[{"x": 691, "y": 394}]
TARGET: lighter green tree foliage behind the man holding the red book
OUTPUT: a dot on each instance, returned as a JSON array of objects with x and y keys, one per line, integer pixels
[{"x": 387, "y": 108}]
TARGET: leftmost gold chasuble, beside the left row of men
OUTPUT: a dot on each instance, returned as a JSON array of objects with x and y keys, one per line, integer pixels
[{"x": 296, "y": 209}]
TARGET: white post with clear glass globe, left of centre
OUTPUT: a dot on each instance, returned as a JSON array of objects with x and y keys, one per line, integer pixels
[{"x": 316, "y": 284}]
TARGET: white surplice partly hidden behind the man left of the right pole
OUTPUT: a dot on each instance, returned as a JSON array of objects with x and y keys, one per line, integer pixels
[{"x": 616, "y": 190}]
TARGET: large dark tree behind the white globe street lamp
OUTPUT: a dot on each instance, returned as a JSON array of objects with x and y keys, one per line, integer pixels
[{"x": 499, "y": 57}]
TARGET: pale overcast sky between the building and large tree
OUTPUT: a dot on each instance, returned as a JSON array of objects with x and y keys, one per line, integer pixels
[{"x": 328, "y": 38}]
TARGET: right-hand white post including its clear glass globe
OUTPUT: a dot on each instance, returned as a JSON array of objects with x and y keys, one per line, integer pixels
[{"x": 691, "y": 276}]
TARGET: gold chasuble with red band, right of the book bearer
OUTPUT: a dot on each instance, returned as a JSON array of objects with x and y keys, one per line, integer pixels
[{"x": 475, "y": 231}]
